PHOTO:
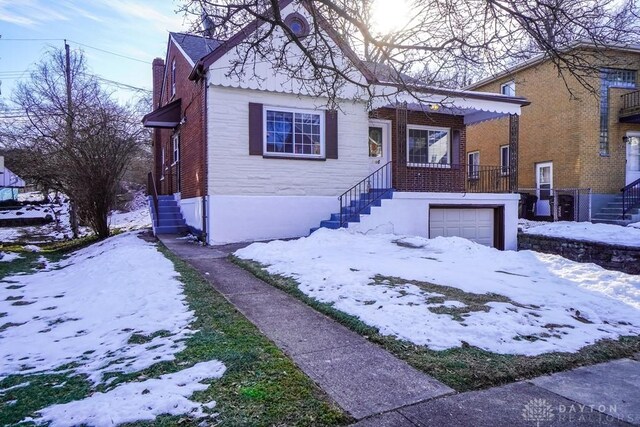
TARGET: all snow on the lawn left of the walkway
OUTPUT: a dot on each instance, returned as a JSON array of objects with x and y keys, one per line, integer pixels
[{"x": 113, "y": 307}]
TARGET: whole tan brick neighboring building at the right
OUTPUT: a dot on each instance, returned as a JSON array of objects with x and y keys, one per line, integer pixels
[{"x": 580, "y": 140}]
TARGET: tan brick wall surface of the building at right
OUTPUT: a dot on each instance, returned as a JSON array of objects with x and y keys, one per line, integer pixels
[{"x": 560, "y": 126}]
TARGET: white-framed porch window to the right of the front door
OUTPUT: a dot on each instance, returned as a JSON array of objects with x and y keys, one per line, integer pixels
[{"x": 428, "y": 146}]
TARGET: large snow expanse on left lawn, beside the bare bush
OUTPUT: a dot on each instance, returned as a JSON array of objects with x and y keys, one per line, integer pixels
[{"x": 86, "y": 308}]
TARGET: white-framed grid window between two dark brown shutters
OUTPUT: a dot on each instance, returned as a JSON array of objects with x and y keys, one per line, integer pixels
[{"x": 293, "y": 132}]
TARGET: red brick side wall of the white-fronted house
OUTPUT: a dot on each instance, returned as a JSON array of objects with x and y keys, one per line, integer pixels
[{"x": 186, "y": 176}]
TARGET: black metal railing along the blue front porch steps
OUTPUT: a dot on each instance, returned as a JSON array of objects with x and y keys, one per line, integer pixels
[{"x": 365, "y": 193}]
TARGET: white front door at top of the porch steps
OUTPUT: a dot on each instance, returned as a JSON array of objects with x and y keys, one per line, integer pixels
[{"x": 379, "y": 143}]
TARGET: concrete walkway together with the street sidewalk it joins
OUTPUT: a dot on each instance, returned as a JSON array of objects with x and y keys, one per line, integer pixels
[{"x": 378, "y": 389}]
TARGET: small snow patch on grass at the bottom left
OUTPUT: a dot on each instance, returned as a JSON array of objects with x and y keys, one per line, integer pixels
[{"x": 138, "y": 401}]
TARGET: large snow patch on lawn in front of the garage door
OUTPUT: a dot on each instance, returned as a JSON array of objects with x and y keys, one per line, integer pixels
[{"x": 551, "y": 304}]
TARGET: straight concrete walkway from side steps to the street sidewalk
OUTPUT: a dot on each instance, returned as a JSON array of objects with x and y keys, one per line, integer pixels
[{"x": 362, "y": 378}]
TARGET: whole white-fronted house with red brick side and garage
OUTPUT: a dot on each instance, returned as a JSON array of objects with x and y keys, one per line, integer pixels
[{"x": 259, "y": 158}]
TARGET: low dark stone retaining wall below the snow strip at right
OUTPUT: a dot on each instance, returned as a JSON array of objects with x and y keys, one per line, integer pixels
[{"x": 612, "y": 257}]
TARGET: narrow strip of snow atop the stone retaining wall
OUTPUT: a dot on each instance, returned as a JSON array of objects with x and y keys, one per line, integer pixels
[{"x": 603, "y": 233}]
